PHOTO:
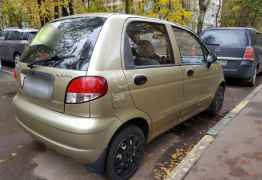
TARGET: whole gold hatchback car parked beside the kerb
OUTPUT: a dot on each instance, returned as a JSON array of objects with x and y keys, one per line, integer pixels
[{"x": 98, "y": 87}]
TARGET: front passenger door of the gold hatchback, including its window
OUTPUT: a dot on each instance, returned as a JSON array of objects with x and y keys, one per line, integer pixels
[{"x": 199, "y": 80}]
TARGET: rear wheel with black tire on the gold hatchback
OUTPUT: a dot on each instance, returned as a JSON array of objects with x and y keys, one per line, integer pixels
[{"x": 125, "y": 153}]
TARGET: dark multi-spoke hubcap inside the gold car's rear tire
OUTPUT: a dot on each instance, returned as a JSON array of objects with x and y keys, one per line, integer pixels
[{"x": 128, "y": 155}]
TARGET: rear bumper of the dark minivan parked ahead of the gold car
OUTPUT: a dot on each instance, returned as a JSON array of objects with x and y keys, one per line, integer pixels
[{"x": 241, "y": 71}]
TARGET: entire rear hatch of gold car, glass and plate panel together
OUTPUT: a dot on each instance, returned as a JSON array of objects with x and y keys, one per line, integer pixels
[{"x": 59, "y": 53}]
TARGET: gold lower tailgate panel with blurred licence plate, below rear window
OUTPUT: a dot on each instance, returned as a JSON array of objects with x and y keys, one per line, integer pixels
[{"x": 45, "y": 86}]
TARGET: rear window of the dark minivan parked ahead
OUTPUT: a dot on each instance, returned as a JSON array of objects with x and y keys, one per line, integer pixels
[{"x": 225, "y": 38}]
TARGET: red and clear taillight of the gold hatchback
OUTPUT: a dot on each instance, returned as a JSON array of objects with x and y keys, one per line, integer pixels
[{"x": 84, "y": 89}]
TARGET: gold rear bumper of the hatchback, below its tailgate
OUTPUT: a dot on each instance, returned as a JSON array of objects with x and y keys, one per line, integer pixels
[{"x": 83, "y": 139}]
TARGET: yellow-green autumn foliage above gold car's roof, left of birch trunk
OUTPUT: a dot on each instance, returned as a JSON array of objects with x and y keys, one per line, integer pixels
[{"x": 36, "y": 13}]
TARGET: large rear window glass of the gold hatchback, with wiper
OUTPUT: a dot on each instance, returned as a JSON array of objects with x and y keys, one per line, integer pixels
[{"x": 74, "y": 38}]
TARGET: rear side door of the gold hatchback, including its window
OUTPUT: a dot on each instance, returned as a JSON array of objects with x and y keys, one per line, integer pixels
[{"x": 154, "y": 80}]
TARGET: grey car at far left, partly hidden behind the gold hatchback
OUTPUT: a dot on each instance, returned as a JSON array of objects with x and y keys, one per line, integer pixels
[{"x": 13, "y": 43}]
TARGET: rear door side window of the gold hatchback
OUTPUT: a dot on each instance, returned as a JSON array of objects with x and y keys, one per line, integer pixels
[{"x": 148, "y": 44}]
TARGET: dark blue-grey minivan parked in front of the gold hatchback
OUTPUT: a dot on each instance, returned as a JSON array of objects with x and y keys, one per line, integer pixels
[{"x": 239, "y": 50}]
